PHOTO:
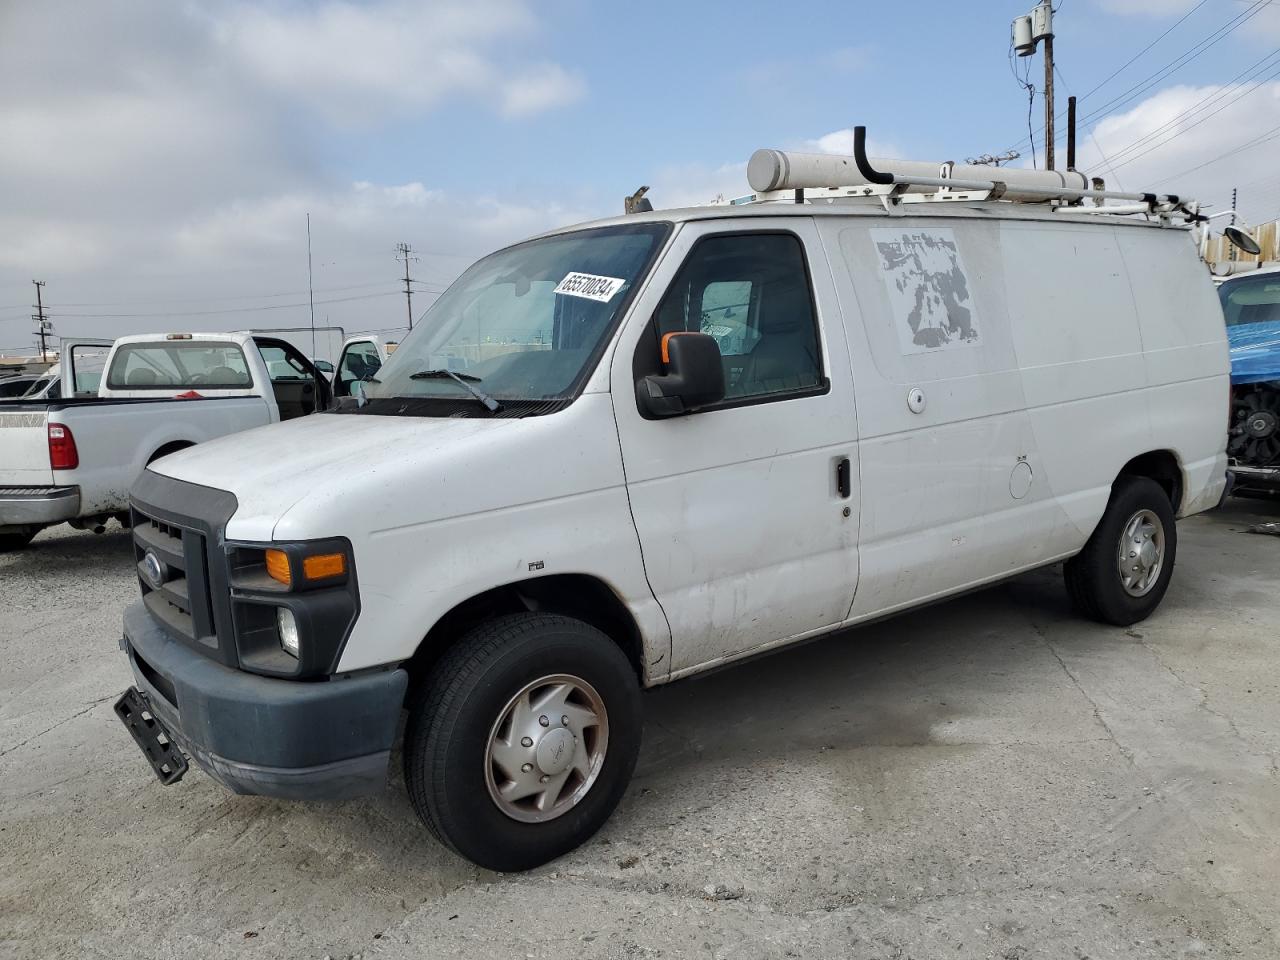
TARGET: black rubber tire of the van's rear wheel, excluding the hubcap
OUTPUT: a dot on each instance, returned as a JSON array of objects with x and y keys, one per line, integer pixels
[{"x": 1094, "y": 577}]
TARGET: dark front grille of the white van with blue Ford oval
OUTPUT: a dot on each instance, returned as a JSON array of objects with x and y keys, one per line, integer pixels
[{"x": 179, "y": 598}]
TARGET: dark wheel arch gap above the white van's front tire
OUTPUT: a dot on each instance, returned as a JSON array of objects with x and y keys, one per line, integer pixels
[{"x": 580, "y": 596}]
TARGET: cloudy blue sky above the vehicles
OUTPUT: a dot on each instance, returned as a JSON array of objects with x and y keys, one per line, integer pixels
[{"x": 159, "y": 158}]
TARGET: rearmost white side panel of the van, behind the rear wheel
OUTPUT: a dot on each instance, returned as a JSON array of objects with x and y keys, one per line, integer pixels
[{"x": 1188, "y": 365}]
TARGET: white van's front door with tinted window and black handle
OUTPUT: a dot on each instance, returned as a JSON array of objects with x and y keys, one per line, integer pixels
[{"x": 748, "y": 511}]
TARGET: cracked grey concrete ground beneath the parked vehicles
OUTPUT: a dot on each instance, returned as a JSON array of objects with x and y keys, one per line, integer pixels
[{"x": 985, "y": 779}]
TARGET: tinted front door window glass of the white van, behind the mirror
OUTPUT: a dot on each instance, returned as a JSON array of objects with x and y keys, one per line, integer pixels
[{"x": 751, "y": 292}]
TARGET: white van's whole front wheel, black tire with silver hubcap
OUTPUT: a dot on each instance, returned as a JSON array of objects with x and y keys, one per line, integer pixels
[{"x": 523, "y": 740}]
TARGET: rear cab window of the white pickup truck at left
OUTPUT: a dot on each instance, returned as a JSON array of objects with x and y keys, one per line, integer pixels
[{"x": 180, "y": 365}]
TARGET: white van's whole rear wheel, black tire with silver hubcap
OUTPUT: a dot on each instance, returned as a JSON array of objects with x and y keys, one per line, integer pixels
[{"x": 1122, "y": 574}]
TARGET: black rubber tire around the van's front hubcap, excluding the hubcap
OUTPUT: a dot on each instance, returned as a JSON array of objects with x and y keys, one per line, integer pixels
[{"x": 455, "y": 710}]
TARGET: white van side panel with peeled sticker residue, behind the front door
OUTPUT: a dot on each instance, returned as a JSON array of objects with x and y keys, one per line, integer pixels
[{"x": 940, "y": 511}]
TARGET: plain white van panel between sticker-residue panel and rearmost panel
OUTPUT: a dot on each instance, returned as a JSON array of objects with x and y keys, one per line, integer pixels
[{"x": 1082, "y": 362}]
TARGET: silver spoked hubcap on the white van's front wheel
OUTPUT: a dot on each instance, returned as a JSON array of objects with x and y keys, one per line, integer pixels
[{"x": 547, "y": 748}]
